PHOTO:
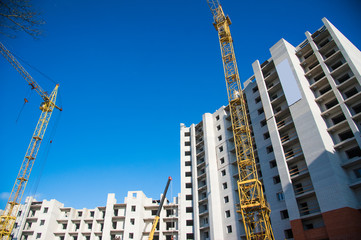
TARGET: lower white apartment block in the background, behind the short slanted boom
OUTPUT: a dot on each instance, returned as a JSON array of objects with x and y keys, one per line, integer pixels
[{"x": 50, "y": 220}]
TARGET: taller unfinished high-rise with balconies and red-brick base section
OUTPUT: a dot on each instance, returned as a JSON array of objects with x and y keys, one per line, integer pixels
[{"x": 305, "y": 112}]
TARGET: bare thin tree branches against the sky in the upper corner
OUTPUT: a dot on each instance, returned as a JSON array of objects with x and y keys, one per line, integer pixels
[{"x": 19, "y": 15}]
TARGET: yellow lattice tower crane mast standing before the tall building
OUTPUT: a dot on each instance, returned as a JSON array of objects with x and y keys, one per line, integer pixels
[{"x": 253, "y": 207}]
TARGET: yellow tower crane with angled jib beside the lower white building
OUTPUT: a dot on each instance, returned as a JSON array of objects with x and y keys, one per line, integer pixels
[{"x": 7, "y": 220}]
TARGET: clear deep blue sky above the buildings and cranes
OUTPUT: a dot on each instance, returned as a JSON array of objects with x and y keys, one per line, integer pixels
[{"x": 130, "y": 72}]
